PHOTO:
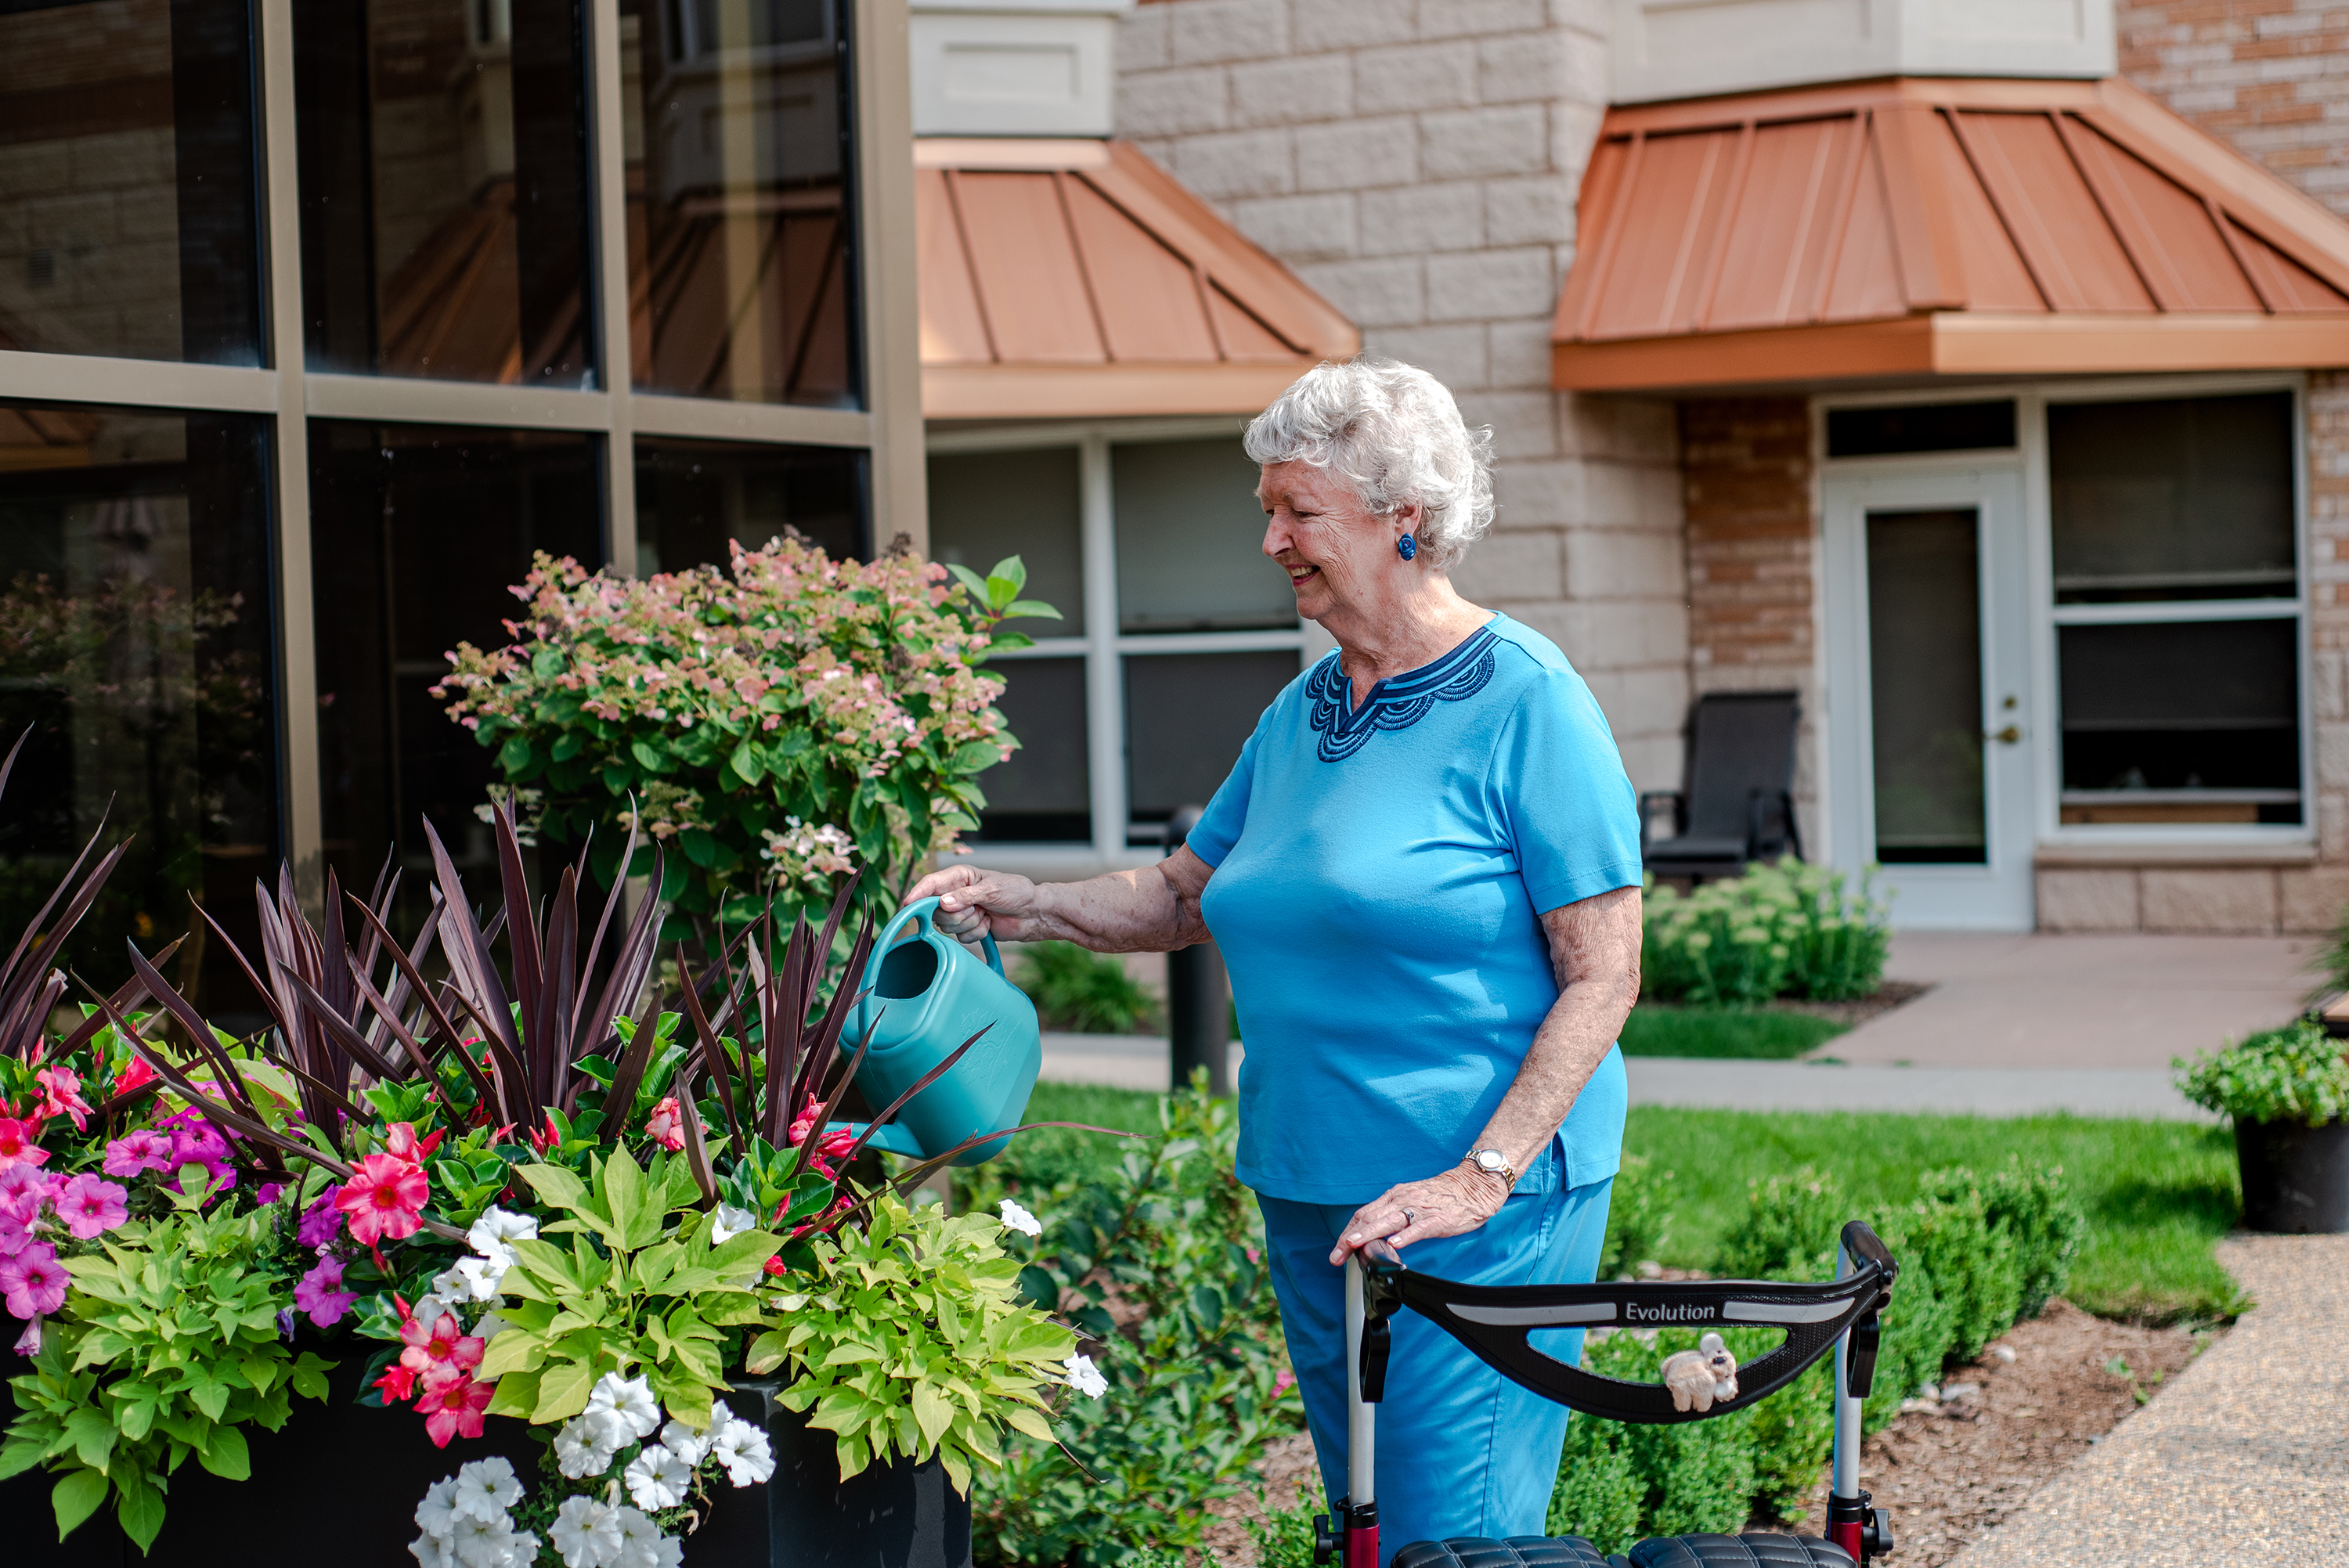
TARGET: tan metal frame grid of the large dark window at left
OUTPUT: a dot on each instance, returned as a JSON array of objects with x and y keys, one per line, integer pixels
[{"x": 889, "y": 426}]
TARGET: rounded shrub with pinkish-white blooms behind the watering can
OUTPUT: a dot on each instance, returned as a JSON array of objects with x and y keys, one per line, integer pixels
[{"x": 776, "y": 722}]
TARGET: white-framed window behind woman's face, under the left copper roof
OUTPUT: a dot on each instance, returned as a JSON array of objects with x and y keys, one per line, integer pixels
[{"x": 1173, "y": 642}]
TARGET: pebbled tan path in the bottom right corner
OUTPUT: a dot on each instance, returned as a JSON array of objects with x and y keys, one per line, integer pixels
[{"x": 2237, "y": 1461}]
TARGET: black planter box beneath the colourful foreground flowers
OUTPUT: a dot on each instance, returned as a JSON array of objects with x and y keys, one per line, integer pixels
[{"x": 339, "y": 1485}]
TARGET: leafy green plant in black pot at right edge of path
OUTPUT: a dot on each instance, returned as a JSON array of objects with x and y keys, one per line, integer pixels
[{"x": 2287, "y": 1090}]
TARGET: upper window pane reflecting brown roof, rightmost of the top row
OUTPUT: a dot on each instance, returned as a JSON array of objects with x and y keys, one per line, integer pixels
[{"x": 739, "y": 259}]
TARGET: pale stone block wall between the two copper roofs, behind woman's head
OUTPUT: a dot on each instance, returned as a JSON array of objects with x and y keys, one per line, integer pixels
[{"x": 1418, "y": 163}]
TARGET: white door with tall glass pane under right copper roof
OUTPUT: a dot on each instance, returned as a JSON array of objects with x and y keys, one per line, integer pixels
[{"x": 1927, "y": 694}]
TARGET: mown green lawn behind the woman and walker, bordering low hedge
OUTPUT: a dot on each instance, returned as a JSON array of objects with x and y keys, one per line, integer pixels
[{"x": 2158, "y": 1194}]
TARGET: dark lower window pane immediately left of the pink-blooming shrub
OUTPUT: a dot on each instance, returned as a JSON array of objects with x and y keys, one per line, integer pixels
[{"x": 417, "y": 536}]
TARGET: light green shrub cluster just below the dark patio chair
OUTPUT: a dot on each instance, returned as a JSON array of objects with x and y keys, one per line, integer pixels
[{"x": 1777, "y": 931}]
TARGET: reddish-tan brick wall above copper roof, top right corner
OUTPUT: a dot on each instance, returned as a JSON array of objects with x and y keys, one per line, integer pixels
[{"x": 2268, "y": 76}]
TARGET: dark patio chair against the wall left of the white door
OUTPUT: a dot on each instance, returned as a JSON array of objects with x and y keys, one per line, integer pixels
[{"x": 1739, "y": 792}]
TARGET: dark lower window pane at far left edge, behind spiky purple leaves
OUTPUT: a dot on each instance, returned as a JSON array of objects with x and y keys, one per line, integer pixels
[{"x": 135, "y": 642}]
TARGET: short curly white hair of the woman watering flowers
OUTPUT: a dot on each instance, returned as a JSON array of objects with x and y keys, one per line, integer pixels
[{"x": 1392, "y": 433}]
